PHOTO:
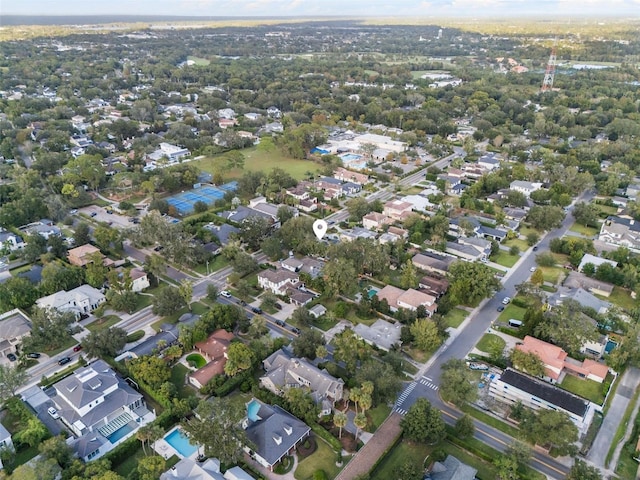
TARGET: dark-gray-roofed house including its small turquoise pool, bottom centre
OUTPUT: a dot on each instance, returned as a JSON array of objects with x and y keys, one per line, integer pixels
[{"x": 273, "y": 432}]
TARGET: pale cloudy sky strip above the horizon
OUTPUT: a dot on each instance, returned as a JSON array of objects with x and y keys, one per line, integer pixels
[{"x": 296, "y": 8}]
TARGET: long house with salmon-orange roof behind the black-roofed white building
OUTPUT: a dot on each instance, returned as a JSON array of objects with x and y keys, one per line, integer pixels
[{"x": 557, "y": 363}]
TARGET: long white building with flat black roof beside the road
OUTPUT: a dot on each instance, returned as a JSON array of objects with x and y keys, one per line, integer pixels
[{"x": 511, "y": 387}]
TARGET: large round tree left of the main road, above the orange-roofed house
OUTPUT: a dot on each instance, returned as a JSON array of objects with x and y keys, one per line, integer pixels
[{"x": 471, "y": 282}]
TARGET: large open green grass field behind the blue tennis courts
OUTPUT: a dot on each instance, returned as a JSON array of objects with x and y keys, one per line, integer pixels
[{"x": 257, "y": 160}]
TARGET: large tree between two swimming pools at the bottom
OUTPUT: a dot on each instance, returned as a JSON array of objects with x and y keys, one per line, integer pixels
[{"x": 217, "y": 426}]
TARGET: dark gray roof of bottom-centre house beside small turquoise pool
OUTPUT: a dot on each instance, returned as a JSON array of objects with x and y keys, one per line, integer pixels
[{"x": 275, "y": 432}]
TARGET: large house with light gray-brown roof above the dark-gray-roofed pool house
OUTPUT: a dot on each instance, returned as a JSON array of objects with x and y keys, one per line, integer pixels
[{"x": 285, "y": 371}]
